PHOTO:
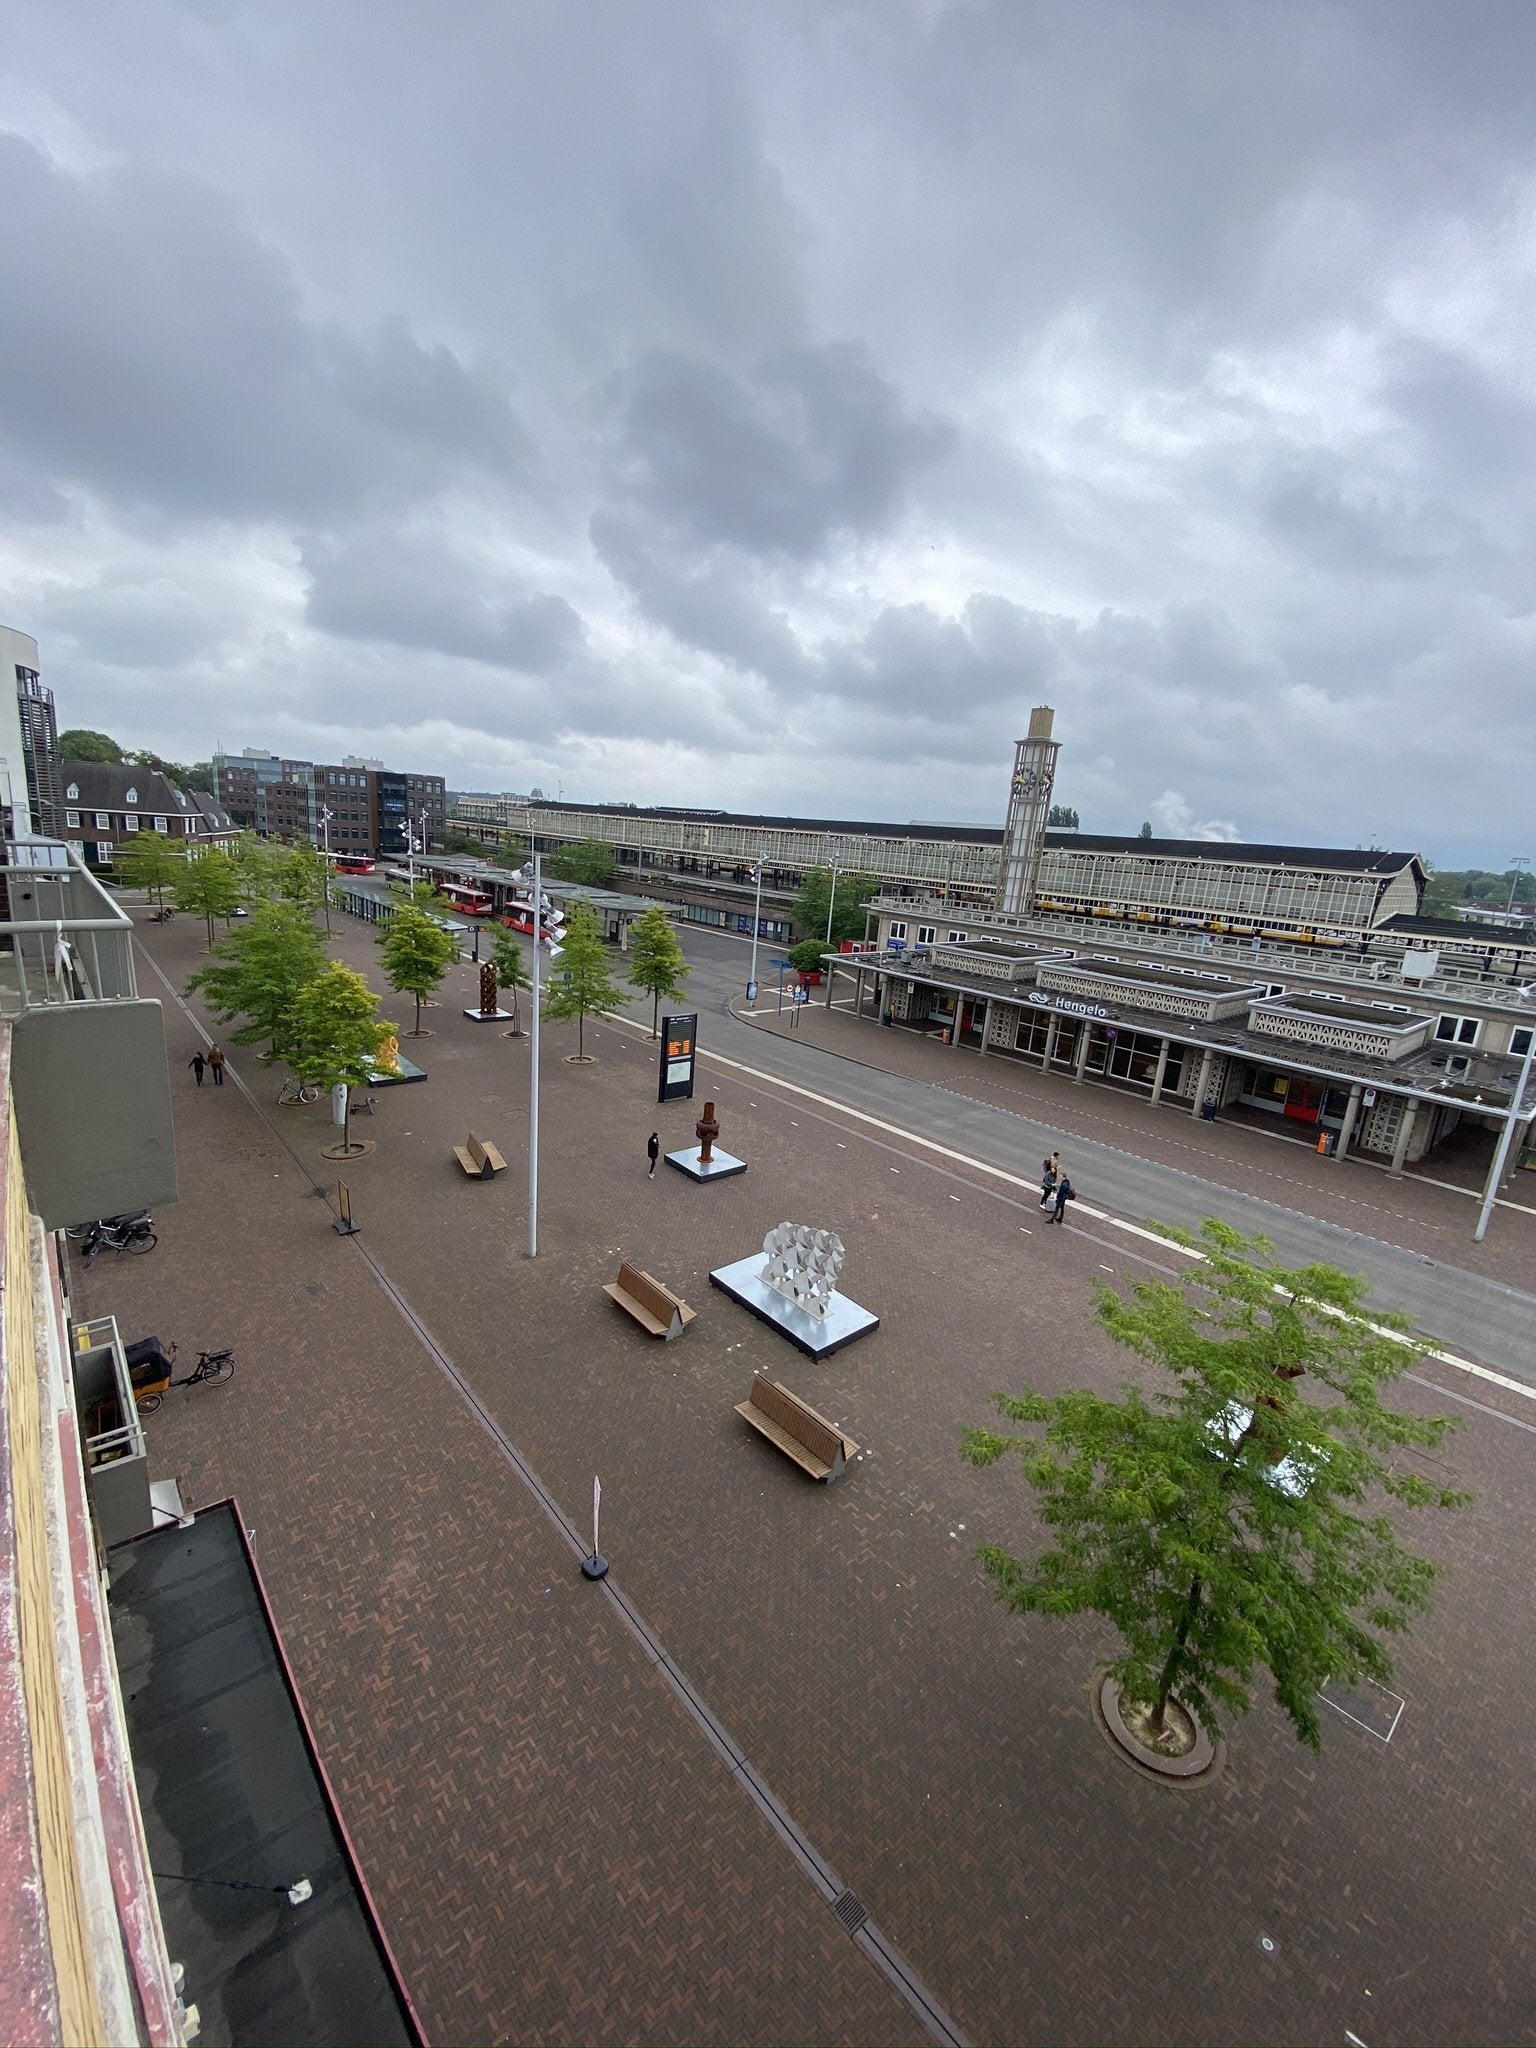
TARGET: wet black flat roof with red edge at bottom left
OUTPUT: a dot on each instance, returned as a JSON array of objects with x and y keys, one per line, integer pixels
[{"x": 237, "y": 1807}]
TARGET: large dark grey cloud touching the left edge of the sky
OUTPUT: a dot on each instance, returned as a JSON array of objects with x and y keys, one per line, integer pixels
[{"x": 159, "y": 351}]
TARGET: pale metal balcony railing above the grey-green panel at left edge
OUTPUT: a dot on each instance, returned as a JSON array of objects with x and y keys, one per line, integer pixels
[{"x": 62, "y": 937}]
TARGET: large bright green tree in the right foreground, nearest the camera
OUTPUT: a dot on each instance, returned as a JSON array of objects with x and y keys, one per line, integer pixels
[{"x": 1215, "y": 1519}]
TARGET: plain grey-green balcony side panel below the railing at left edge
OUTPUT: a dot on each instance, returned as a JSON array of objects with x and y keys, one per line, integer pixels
[{"x": 93, "y": 1109}]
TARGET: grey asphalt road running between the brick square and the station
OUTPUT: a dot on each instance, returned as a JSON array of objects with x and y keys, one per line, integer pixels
[{"x": 1476, "y": 1318}]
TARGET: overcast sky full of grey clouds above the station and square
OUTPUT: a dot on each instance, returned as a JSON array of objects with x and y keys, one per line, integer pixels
[{"x": 765, "y": 407}]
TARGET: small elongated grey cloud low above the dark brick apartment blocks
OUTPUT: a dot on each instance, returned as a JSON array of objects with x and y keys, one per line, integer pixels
[{"x": 415, "y": 591}]
